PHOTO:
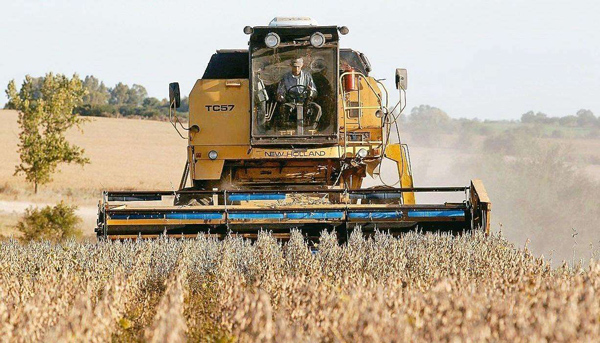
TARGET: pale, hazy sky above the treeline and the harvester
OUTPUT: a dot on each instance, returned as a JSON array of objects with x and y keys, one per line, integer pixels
[{"x": 484, "y": 59}]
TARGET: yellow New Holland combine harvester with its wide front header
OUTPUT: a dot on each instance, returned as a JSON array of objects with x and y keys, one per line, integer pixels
[{"x": 281, "y": 136}]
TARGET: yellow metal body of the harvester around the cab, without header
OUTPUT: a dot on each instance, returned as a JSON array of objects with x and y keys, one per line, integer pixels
[{"x": 220, "y": 109}]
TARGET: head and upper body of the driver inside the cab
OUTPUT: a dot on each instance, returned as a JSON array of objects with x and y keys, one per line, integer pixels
[{"x": 297, "y": 83}]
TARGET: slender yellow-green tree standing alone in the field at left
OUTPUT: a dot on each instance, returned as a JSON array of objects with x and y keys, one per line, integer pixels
[{"x": 44, "y": 118}]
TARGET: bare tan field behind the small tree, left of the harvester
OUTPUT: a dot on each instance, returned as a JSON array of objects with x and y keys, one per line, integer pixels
[{"x": 124, "y": 154}]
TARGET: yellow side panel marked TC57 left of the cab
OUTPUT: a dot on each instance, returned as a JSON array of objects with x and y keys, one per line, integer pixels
[{"x": 221, "y": 110}]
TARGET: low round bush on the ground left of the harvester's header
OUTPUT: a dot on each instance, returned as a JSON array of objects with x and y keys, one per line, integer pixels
[{"x": 52, "y": 223}]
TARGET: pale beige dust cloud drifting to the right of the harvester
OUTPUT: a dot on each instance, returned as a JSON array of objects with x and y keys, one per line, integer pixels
[{"x": 540, "y": 197}]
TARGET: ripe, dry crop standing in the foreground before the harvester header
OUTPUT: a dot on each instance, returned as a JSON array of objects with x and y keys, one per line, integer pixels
[{"x": 417, "y": 288}]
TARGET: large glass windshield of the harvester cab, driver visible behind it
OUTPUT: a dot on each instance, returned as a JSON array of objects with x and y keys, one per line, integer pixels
[{"x": 294, "y": 91}]
